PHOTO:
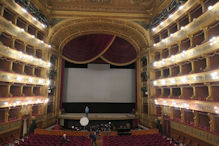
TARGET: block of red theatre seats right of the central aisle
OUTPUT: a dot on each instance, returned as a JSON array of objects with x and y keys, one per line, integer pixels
[{"x": 137, "y": 140}]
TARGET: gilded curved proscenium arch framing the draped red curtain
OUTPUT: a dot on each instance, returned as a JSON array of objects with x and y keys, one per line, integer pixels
[{"x": 69, "y": 29}]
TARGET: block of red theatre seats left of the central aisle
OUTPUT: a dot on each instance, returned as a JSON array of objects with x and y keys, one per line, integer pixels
[{"x": 54, "y": 140}]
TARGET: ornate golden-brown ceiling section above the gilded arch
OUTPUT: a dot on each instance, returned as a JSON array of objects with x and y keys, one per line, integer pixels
[{"x": 134, "y": 10}]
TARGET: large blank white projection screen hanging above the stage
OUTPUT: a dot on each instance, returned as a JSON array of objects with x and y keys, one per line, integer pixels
[{"x": 99, "y": 85}]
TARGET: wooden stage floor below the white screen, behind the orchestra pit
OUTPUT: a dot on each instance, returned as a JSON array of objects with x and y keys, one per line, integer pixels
[{"x": 99, "y": 116}]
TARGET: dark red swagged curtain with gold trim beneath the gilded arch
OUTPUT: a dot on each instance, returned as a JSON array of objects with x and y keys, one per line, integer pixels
[{"x": 110, "y": 49}]
